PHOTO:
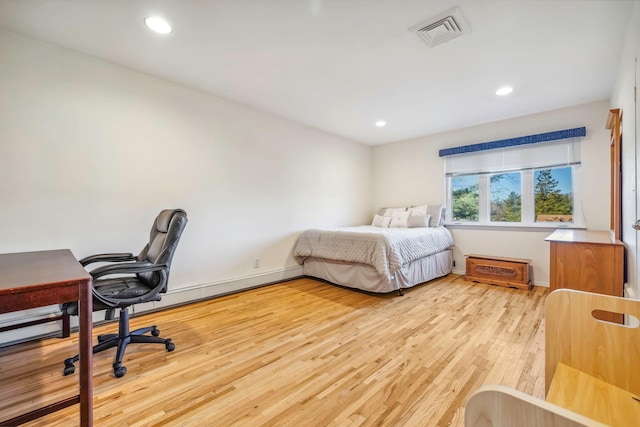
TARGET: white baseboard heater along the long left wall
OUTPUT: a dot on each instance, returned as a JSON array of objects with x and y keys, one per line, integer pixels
[{"x": 173, "y": 297}]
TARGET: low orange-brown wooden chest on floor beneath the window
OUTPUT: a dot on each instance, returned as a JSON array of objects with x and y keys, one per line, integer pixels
[{"x": 502, "y": 271}]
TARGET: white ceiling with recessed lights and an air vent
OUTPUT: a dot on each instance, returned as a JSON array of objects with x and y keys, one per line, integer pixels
[{"x": 342, "y": 65}]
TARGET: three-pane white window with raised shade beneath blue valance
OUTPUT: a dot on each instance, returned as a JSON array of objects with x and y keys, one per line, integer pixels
[{"x": 521, "y": 185}]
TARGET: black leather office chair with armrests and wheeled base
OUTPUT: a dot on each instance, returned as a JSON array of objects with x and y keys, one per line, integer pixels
[{"x": 139, "y": 279}]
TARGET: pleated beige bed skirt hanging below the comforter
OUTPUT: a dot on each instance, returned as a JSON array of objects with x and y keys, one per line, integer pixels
[{"x": 365, "y": 277}]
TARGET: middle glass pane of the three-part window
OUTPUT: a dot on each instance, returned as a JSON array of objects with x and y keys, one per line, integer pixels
[{"x": 506, "y": 201}]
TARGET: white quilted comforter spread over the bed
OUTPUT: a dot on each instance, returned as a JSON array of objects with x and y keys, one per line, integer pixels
[{"x": 385, "y": 249}]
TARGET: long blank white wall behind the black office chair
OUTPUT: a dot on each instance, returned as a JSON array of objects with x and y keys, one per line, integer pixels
[{"x": 90, "y": 152}]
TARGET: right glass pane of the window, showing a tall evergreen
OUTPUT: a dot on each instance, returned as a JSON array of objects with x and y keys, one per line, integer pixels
[{"x": 554, "y": 195}]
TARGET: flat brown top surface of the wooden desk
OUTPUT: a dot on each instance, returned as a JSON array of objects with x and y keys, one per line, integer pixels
[{"x": 27, "y": 269}]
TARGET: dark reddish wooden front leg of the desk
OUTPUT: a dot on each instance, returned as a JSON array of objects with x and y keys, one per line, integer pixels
[{"x": 86, "y": 353}]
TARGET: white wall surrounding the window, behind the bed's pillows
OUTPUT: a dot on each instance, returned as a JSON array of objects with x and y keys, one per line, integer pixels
[{"x": 410, "y": 172}]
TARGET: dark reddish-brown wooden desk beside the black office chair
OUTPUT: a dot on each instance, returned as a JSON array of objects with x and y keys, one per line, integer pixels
[{"x": 37, "y": 279}]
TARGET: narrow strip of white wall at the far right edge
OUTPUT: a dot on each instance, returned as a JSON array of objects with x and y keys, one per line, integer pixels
[{"x": 623, "y": 98}]
